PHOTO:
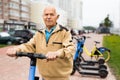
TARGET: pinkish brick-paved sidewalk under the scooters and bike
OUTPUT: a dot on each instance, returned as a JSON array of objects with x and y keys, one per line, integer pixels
[{"x": 11, "y": 69}]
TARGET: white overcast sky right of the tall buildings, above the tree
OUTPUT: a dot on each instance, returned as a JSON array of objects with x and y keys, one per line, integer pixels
[{"x": 94, "y": 11}]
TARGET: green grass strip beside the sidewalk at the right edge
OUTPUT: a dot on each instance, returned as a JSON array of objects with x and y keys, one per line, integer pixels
[{"x": 113, "y": 43}]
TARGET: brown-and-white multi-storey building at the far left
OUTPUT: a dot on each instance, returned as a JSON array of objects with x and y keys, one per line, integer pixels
[{"x": 14, "y": 14}]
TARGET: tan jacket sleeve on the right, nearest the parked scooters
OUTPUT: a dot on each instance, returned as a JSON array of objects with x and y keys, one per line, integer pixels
[{"x": 68, "y": 49}]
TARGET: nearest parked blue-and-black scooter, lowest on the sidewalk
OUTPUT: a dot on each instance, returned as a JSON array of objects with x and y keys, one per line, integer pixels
[{"x": 100, "y": 71}]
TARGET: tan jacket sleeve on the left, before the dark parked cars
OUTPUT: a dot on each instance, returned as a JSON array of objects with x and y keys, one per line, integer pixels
[{"x": 27, "y": 47}]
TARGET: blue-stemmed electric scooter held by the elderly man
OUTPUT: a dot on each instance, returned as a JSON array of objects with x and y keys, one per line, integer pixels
[{"x": 33, "y": 57}]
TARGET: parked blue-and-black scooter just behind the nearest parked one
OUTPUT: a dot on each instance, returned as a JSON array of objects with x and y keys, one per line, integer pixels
[{"x": 79, "y": 51}]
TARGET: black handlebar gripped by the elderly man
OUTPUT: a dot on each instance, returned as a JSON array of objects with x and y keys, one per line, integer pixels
[{"x": 31, "y": 55}]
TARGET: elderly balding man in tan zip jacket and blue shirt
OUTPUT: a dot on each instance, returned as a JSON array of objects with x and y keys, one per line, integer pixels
[{"x": 55, "y": 43}]
